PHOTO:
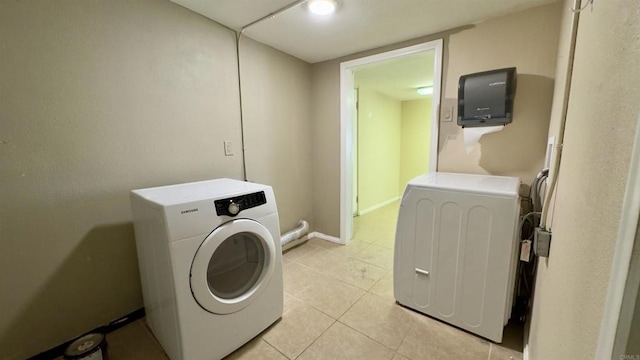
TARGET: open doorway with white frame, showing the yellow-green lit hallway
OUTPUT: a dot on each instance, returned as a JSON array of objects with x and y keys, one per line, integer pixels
[{"x": 375, "y": 161}]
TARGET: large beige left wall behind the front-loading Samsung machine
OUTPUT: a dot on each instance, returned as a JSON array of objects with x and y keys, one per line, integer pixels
[{"x": 101, "y": 97}]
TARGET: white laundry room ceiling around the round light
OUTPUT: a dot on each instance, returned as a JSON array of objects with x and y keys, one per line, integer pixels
[{"x": 358, "y": 25}]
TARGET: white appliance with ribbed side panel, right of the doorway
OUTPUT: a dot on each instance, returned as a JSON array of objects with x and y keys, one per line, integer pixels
[{"x": 456, "y": 249}]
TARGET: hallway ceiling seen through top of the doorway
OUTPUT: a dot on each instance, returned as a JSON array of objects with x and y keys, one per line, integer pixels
[{"x": 398, "y": 78}]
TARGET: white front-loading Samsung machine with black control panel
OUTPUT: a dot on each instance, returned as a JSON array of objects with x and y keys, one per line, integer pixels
[{"x": 210, "y": 263}]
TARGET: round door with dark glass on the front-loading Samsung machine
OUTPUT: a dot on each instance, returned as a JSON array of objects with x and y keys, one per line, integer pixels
[{"x": 232, "y": 266}]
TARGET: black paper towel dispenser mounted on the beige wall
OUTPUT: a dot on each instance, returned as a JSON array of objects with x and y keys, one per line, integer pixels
[{"x": 486, "y": 98}]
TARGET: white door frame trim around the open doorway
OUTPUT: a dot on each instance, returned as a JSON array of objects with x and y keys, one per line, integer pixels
[{"x": 347, "y": 104}]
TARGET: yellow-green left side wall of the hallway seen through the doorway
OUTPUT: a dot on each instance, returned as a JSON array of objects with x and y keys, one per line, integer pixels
[{"x": 379, "y": 119}]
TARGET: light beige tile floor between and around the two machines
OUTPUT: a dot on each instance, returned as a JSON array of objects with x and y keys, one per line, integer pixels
[{"x": 339, "y": 304}]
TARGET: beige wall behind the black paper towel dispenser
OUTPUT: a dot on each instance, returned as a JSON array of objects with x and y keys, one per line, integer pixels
[{"x": 528, "y": 41}]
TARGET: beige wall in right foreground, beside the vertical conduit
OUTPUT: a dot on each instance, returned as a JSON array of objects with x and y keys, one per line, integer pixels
[{"x": 602, "y": 116}]
